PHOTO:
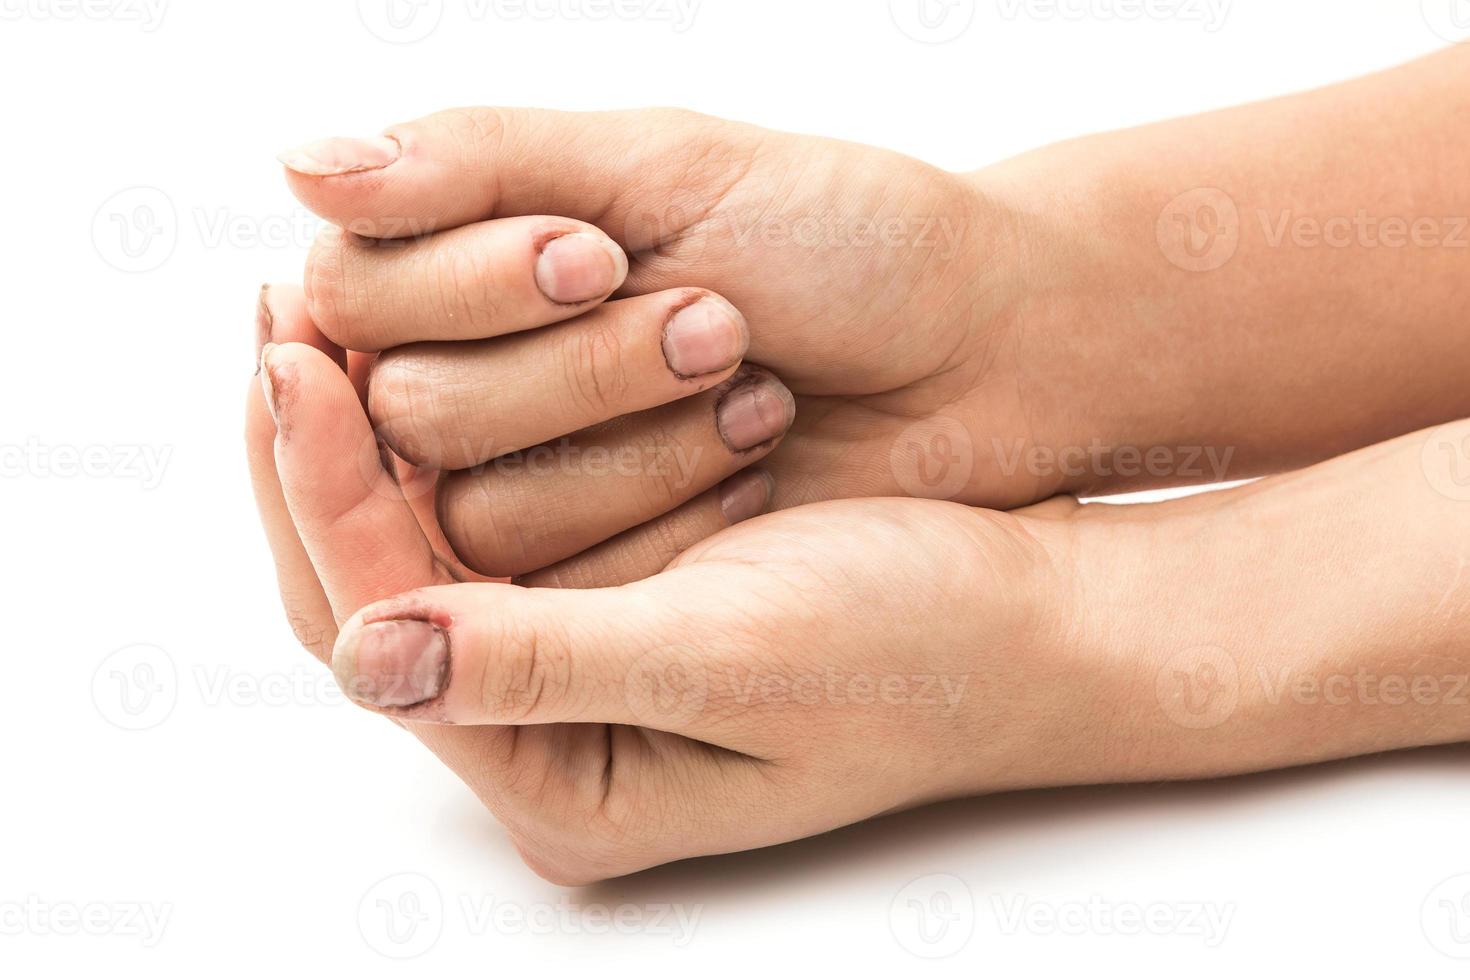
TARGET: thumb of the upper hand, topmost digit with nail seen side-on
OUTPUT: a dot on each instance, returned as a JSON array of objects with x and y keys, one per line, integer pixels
[{"x": 618, "y": 170}]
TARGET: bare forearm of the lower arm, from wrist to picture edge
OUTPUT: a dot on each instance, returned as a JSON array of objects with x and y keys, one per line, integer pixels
[{"x": 1300, "y": 619}]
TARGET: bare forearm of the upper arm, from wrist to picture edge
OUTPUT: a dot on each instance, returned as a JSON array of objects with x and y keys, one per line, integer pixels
[{"x": 1335, "y": 320}]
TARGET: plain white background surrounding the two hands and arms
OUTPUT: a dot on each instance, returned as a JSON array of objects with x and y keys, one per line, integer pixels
[{"x": 261, "y": 816}]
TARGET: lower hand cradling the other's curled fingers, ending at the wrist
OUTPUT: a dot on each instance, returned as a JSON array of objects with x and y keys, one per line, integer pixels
[{"x": 805, "y": 643}]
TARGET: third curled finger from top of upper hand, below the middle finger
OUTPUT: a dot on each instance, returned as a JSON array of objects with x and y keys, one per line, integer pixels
[{"x": 533, "y": 509}]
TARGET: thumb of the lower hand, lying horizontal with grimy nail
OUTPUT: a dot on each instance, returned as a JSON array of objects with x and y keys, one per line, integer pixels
[{"x": 501, "y": 655}]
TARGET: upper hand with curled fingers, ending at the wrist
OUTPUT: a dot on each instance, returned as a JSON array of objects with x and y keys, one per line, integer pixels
[{"x": 878, "y": 283}]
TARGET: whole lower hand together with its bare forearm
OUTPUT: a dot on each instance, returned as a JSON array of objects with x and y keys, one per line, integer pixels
[{"x": 734, "y": 702}]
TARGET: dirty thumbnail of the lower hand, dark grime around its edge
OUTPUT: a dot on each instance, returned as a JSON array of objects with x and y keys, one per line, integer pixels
[{"x": 392, "y": 665}]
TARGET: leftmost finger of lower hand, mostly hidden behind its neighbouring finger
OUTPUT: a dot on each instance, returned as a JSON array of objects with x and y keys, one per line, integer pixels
[{"x": 282, "y": 315}]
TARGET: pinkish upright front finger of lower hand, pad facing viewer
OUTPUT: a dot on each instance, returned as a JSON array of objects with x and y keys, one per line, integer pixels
[{"x": 351, "y": 515}]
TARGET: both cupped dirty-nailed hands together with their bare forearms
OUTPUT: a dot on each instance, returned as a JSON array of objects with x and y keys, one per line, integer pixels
[{"x": 590, "y": 450}]
